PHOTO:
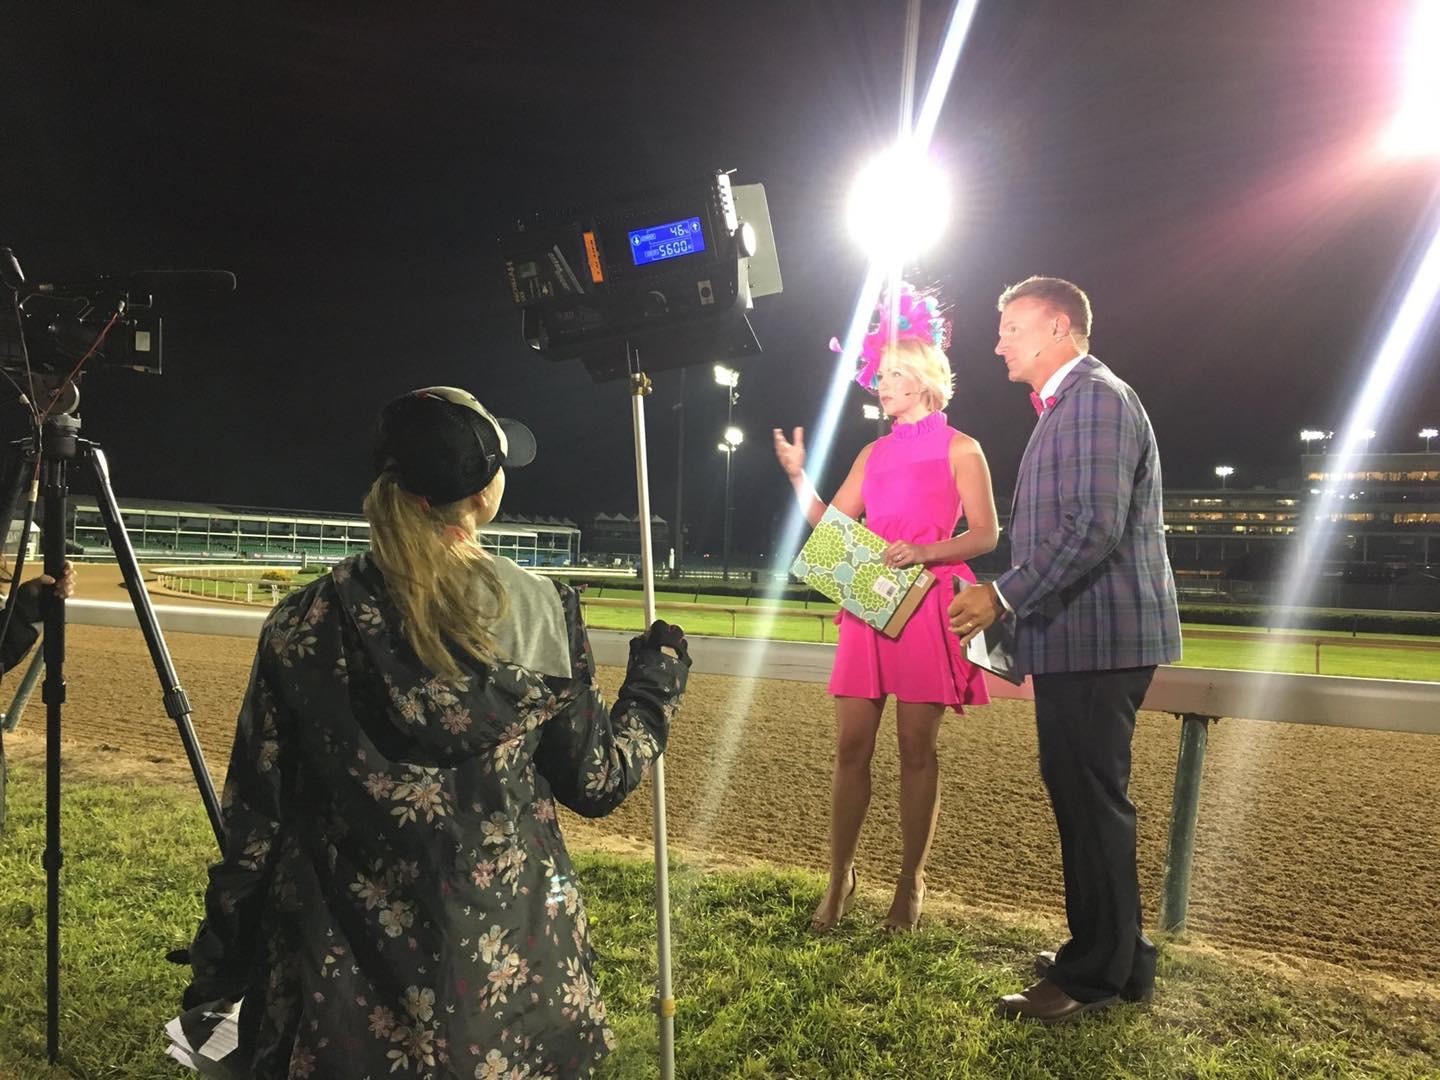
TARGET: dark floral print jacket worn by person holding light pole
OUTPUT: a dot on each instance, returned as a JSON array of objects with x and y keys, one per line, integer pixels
[{"x": 395, "y": 898}]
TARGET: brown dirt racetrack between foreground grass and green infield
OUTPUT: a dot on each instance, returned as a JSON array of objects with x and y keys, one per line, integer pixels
[{"x": 1314, "y": 845}]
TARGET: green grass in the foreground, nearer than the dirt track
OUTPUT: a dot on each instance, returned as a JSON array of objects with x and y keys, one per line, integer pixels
[{"x": 760, "y": 997}]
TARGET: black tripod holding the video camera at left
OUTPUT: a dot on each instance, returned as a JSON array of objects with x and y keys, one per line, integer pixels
[{"x": 60, "y": 444}]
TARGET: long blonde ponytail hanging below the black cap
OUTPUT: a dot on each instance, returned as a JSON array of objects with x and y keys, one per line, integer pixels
[{"x": 433, "y": 567}]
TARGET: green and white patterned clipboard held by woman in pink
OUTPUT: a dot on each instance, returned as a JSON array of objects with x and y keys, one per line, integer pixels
[{"x": 845, "y": 562}]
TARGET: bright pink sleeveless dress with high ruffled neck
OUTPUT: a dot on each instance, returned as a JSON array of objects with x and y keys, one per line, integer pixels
[{"x": 909, "y": 495}]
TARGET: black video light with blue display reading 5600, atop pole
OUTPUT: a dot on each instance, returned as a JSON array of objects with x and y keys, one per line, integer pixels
[{"x": 676, "y": 270}]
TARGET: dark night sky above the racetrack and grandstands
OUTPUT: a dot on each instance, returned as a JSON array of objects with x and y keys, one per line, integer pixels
[{"x": 1202, "y": 169}]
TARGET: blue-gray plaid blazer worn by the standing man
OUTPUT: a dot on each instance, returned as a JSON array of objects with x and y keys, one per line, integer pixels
[{"x": 1092, "y": 587}]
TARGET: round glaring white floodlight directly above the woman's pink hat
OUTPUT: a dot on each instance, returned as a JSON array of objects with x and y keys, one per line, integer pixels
[{"x": 899, "y": 204}]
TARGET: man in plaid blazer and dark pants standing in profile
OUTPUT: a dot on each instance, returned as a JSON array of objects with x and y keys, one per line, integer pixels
[{"x": 1094, "y": 601}]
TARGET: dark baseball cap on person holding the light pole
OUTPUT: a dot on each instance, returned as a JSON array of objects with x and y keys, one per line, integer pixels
[{"x": 444, "y": 446}]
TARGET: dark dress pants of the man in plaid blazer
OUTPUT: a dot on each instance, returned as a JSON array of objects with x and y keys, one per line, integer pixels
[{"x": 1085, "y": 722}]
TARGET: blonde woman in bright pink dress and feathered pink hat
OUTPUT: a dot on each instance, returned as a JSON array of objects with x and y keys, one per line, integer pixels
[{"x": 912, "y": 487}]
